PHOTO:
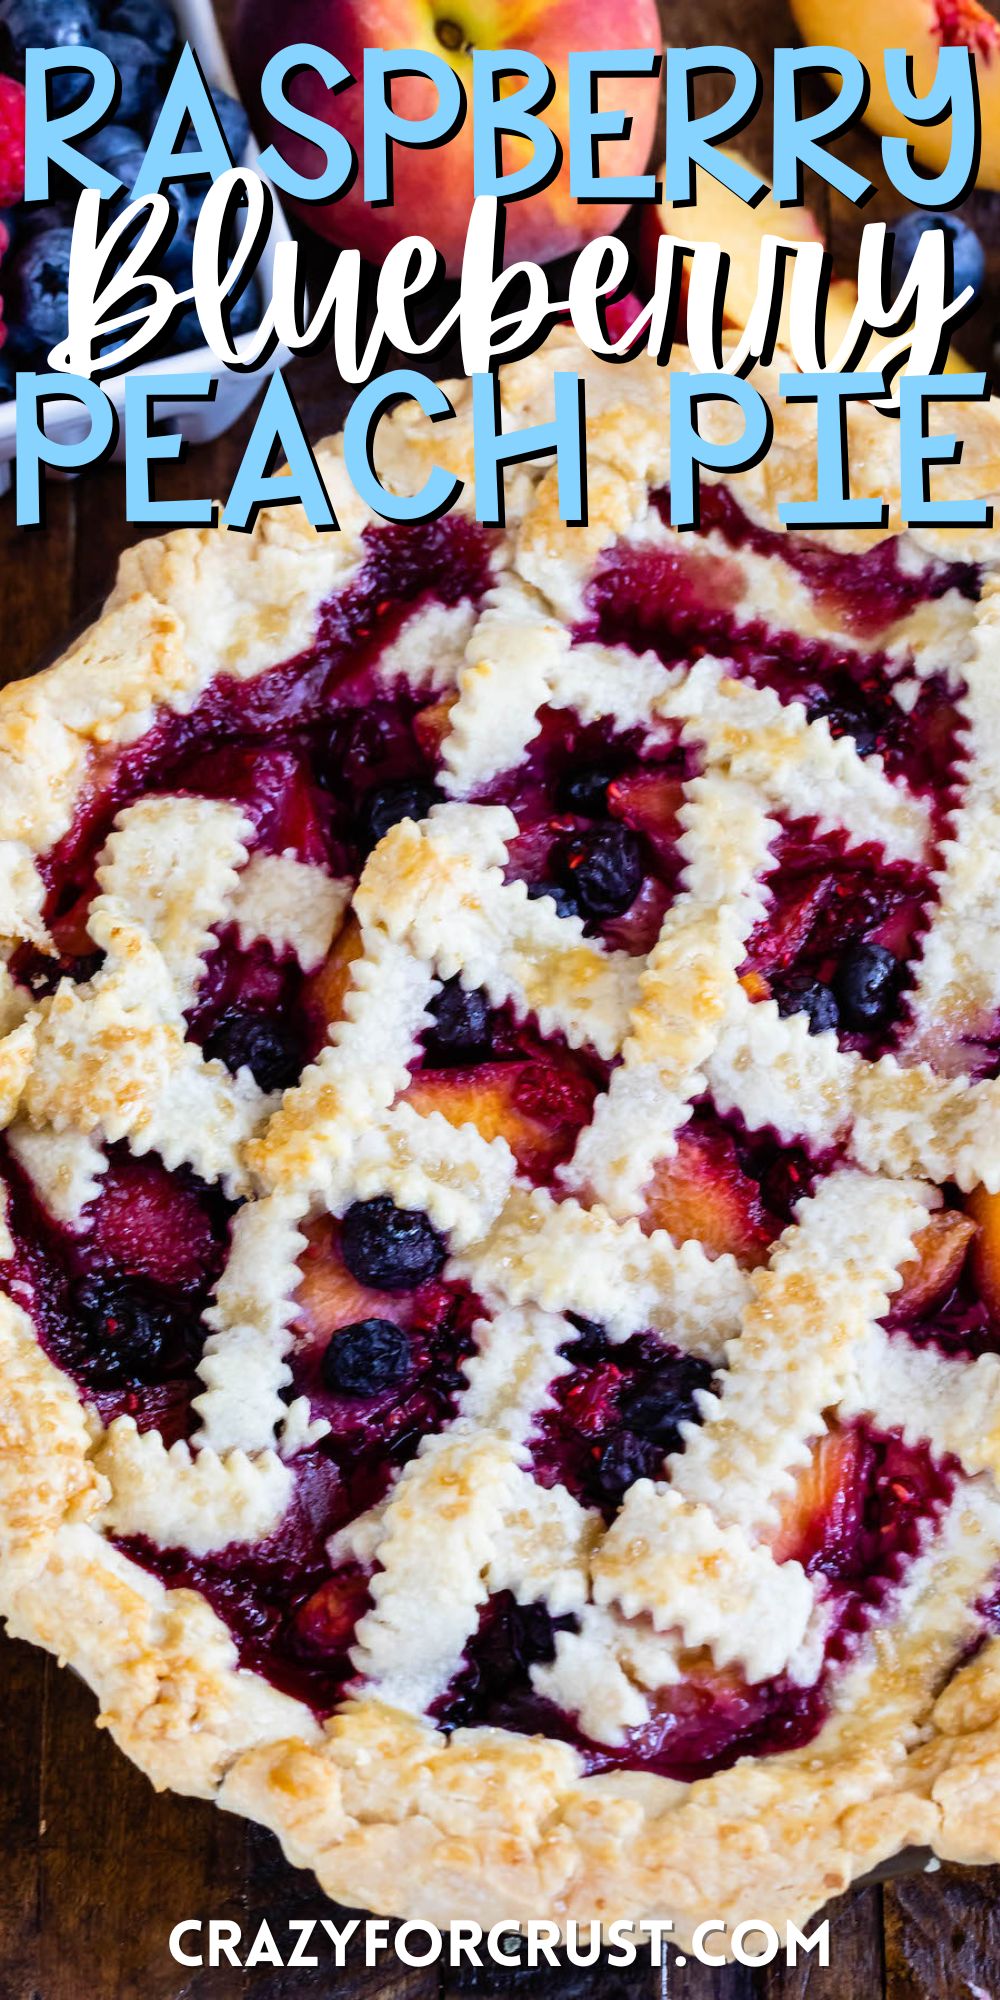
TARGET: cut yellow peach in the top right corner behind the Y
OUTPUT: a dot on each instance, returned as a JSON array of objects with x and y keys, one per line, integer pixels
[{"x": 921, "y": 29}]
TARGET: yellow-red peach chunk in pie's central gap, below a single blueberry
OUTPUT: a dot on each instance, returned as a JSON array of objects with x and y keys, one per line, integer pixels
[{"x": 537, "y": 1107}]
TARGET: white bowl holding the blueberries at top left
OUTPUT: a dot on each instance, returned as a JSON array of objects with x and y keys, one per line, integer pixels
[{"x": 199, "y": 421}]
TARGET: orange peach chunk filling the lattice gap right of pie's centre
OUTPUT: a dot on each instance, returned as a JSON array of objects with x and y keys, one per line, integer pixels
[{"x": 705, "y": 1193}]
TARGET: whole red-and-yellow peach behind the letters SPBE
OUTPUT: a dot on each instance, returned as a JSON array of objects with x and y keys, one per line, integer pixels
[{"x": 433, "y": 191}]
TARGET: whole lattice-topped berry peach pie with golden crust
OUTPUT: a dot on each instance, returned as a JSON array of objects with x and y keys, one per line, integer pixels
[{"x": 501, "y": 1177}]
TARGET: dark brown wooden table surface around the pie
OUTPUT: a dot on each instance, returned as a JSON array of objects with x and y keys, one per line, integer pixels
[{"x": 95, "y": 1867}]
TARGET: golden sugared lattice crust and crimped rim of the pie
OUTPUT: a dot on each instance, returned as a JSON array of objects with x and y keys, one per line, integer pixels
[{"x": 391, "y": 1813}]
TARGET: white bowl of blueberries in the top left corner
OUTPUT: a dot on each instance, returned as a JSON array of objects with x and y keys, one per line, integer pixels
[{"x": 143, "y": 39}]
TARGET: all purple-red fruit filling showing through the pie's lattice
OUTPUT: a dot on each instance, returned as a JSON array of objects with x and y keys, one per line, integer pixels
[{"x": 325, "y": 757}]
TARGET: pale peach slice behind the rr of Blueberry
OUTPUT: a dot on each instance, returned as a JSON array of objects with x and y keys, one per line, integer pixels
[{"x": 721, "y": 219}]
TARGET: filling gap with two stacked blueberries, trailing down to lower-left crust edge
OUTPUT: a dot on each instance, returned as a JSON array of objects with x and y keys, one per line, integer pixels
[{"x": 379, "y": 1349}]
